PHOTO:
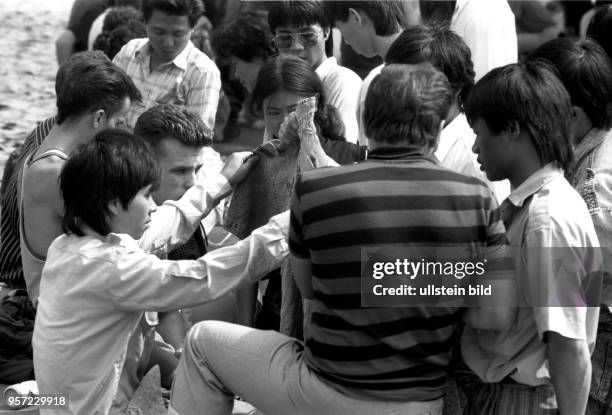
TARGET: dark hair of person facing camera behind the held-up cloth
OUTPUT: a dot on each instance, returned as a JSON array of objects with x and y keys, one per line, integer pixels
[{"x": 290, "y": 73}]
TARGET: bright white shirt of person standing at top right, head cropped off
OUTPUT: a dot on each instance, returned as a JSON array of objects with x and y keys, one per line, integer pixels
[{"x": 488, "y": 28}]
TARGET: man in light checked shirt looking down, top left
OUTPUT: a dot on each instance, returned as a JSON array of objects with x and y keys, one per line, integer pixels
[{"x": 166, "y": 67}]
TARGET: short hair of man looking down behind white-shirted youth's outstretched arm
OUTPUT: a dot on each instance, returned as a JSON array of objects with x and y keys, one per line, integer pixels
[{"x": 172, "y": 121}]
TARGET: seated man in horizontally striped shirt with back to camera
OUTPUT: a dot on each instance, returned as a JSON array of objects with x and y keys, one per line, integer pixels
[{"x": 357, "y": 360}]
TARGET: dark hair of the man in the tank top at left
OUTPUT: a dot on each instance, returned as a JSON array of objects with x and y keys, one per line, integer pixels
[{"x": 94, "y": 84}]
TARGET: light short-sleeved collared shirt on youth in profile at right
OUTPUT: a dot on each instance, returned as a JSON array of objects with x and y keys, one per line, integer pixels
[{"x": 543, "y": 212}]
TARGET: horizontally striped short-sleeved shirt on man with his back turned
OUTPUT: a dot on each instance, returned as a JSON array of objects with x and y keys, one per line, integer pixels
[{"x": 395, "y": 198}]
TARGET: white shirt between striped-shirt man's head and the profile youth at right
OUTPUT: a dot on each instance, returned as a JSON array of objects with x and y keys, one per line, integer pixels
[{"x": 455, "y": 153}]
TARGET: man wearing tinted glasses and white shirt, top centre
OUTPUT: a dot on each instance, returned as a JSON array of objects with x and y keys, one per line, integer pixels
[{"x": 301, "y": 28}]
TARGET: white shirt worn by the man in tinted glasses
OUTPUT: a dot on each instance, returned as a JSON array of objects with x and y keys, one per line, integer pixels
[{"x": 342, "y": 87}]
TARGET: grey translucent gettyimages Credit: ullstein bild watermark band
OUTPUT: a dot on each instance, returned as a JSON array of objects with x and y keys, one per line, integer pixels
[{"x": 496, "y": 276}]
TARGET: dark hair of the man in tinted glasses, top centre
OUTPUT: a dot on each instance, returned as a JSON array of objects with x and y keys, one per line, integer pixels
[{"x": 297, "y": 13}]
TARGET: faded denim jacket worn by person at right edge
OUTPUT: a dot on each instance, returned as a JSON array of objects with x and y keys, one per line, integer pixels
[{"x": 591, "y": 175}]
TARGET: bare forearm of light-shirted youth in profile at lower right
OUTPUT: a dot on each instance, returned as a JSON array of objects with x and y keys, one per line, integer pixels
[{"x": 569, "y": 362}]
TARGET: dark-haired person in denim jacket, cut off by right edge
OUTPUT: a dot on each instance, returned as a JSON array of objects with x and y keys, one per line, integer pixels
[{"x": 586, "y": 72}]
